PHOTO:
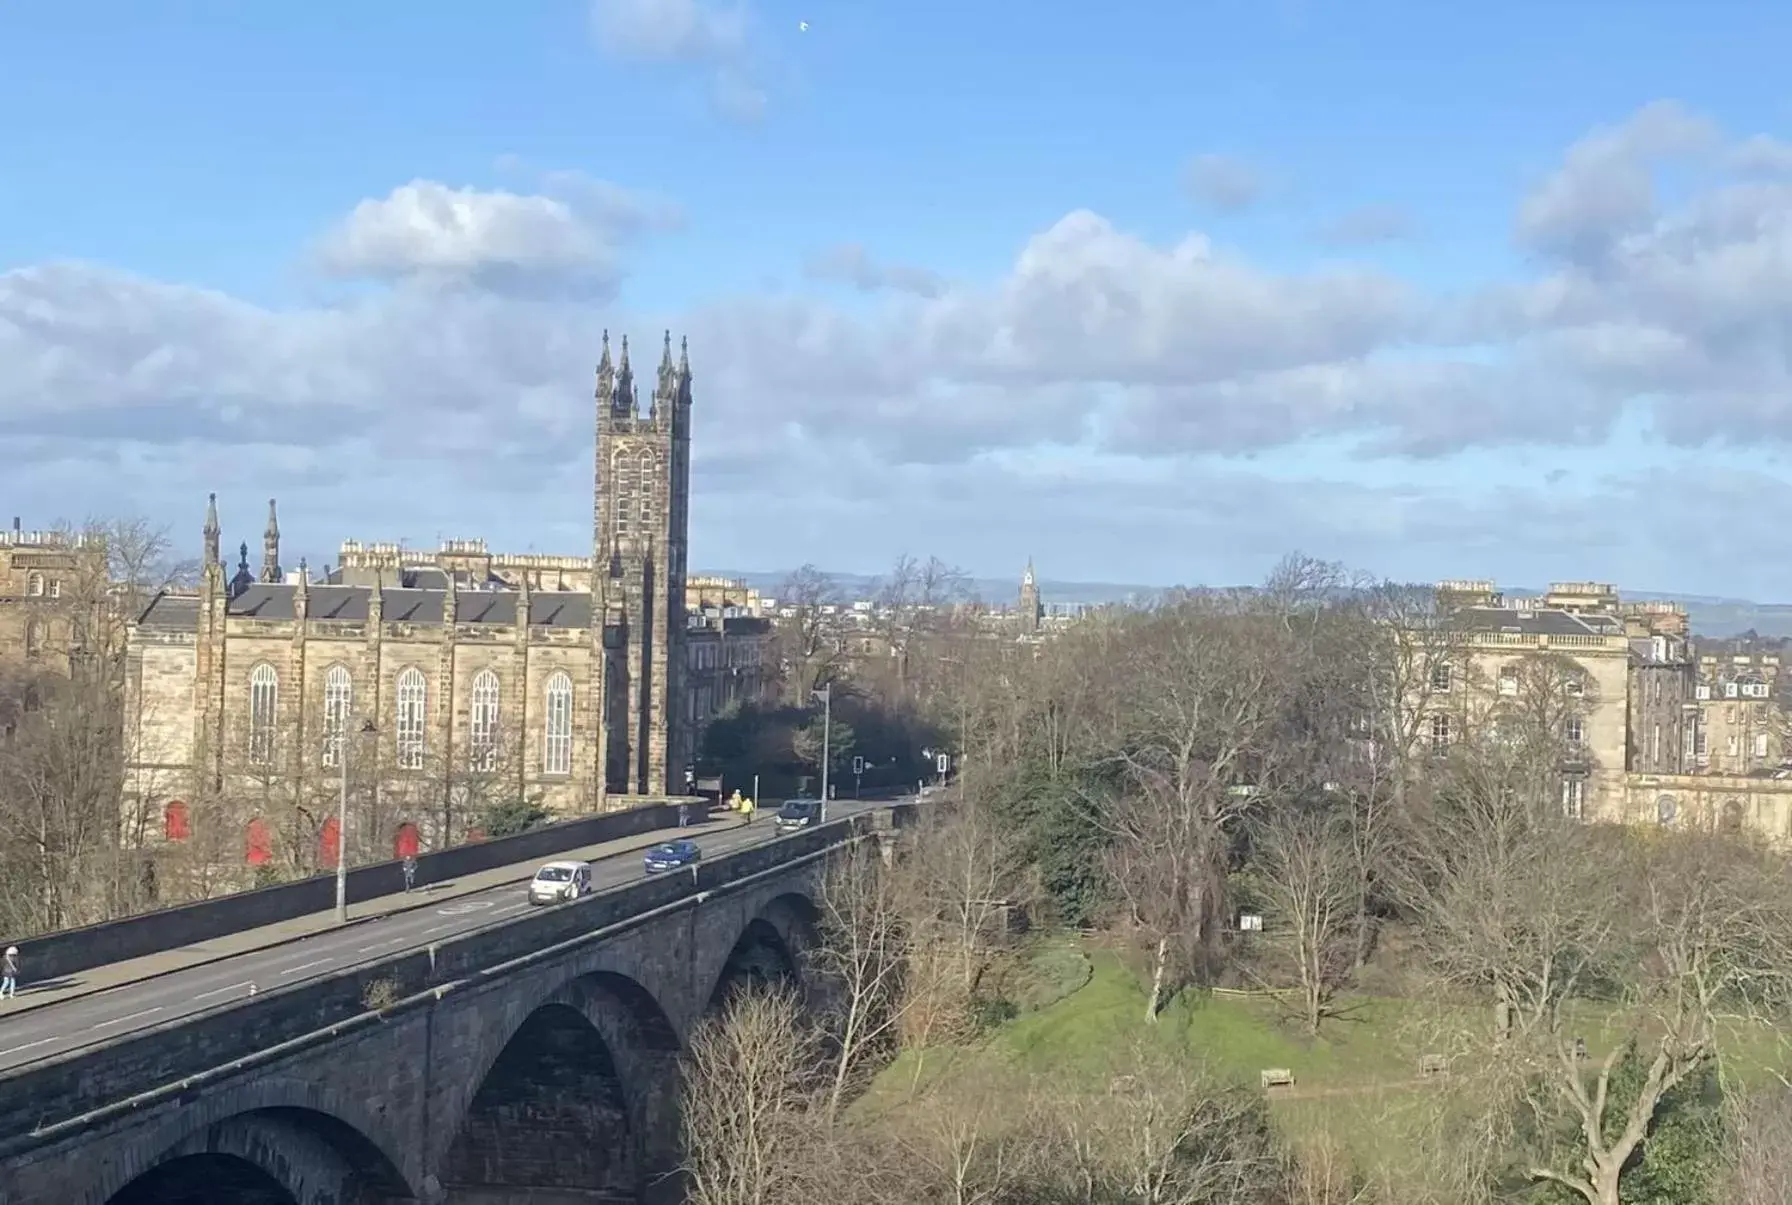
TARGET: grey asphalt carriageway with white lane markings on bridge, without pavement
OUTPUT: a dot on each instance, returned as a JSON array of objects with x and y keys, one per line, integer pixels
[{"x": 30, "y": 1037}]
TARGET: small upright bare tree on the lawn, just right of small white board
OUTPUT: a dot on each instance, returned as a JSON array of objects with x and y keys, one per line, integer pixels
[{"x": 1309, "y": 883}]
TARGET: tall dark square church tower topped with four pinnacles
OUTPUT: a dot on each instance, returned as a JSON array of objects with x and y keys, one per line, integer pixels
[{"x": 641, "y": 539}]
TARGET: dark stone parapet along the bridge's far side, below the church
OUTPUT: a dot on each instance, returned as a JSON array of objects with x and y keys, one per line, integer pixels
[{"x": 96, "y": 946}]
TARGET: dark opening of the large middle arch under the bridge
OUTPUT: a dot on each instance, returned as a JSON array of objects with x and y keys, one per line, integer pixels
[{"x": 582, "y": 1095}]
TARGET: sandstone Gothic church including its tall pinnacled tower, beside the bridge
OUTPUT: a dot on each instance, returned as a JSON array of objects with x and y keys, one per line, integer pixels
[{"x": 431, "y": 695}]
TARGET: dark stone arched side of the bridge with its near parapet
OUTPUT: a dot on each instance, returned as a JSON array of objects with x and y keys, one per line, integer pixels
[{"x": 528, "y": 1064}]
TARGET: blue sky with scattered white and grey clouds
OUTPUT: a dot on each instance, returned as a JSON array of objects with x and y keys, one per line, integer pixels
[{"x": 1148, "y": 297}]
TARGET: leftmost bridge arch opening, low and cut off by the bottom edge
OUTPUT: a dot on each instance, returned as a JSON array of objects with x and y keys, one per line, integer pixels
[{"x": 280, "y": 1156}]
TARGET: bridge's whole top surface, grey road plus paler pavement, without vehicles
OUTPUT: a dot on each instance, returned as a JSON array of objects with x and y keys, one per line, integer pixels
[{"x": 105, "y": 1003}]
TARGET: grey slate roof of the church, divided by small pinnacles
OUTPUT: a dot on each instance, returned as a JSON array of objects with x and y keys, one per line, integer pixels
[{"x": 553, "y": 609}]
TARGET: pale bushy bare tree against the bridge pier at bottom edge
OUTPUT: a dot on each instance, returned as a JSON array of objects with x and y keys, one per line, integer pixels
[{"x": 748, "y": 1131}]
